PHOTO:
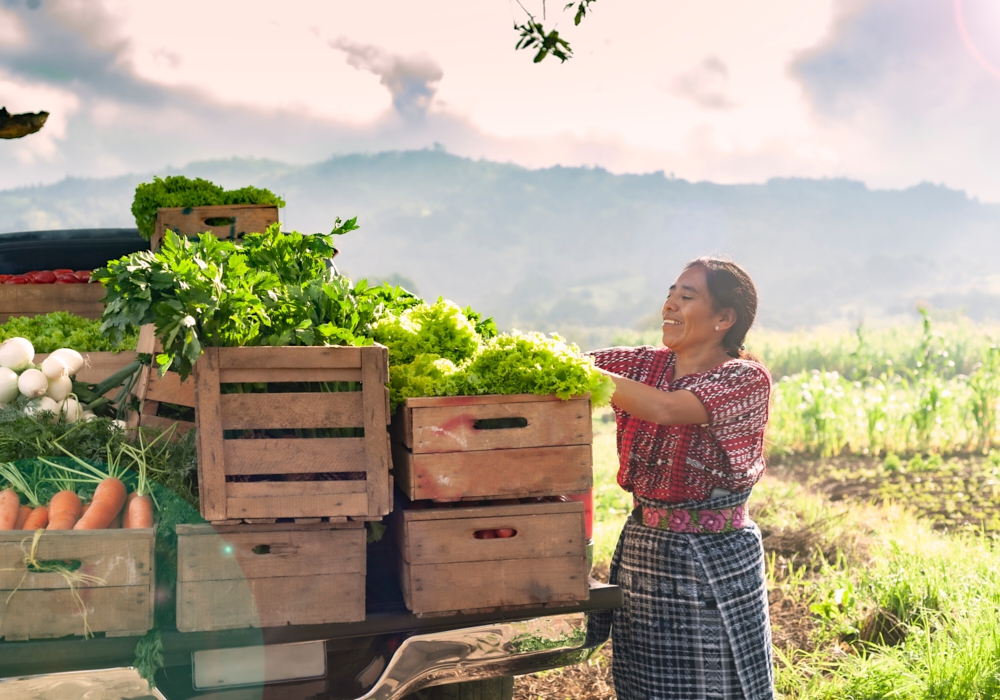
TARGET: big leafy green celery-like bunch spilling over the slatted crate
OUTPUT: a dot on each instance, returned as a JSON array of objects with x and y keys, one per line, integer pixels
[{"x": 275, "y": 289}]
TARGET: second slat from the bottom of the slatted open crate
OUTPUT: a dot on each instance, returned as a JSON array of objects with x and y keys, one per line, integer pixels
[{"x": 301, "y": 455}]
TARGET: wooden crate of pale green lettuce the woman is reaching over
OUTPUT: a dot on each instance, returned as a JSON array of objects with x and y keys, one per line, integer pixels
[{"x": 443, "y": 449}]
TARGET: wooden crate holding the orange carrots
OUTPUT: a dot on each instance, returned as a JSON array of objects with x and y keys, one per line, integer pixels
[{"x": 43, "y": 606}]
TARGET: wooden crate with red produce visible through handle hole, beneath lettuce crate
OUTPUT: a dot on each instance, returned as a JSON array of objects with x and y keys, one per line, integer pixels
[{"x": 445, "y": 568}]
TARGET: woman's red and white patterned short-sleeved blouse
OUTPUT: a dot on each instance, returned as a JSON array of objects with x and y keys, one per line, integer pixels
[{"x": 676, "y": 463}]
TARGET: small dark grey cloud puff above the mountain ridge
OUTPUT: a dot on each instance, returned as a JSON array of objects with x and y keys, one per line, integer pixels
[{"x": 409, "y": 79}]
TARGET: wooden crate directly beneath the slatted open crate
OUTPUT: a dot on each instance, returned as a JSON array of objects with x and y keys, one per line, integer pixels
[{"x": 269, "y": 575}]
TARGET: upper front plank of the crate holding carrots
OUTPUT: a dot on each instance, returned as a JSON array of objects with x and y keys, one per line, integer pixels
[{"x": 119, "y": 557}]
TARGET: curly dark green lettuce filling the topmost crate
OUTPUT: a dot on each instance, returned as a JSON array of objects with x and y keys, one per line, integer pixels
[{"x": 179, "y": 191}]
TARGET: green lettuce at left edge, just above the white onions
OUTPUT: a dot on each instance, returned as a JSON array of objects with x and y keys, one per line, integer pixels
[{"x": 61, "y": 329}]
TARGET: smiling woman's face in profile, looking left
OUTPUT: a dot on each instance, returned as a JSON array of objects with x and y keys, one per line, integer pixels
[{"x": 688, "y": 318}]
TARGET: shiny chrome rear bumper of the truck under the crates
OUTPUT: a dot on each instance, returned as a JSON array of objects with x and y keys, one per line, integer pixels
[{"x": 437, "y": 658}]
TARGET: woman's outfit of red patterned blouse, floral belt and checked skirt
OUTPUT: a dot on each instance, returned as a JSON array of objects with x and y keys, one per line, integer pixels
[{"x": 695, "y": 623}]
